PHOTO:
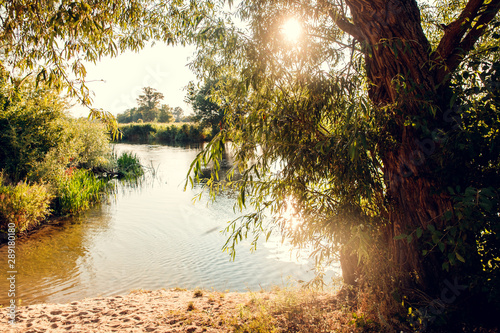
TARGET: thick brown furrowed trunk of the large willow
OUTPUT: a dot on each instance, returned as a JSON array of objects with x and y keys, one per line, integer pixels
[{"x": 397, "y": 56}]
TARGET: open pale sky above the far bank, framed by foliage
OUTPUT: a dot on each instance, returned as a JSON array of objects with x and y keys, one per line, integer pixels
[{"x": 117, "y": 82}]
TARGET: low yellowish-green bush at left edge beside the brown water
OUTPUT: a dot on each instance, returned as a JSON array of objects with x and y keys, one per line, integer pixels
[{"x": 25, "y": 205}]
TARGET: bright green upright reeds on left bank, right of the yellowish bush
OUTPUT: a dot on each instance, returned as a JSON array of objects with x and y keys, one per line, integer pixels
[{"x": 77, "y": 191}]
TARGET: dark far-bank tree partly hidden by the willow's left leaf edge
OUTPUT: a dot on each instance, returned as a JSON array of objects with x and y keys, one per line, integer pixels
[{"x": 206, "y": 110}]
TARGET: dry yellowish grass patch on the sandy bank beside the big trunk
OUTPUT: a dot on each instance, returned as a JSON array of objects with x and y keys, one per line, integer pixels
[{"x": 281, "y": 310}]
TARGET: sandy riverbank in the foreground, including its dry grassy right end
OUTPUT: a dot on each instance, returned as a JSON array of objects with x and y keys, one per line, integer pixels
[{"x": 180, "y": 310}]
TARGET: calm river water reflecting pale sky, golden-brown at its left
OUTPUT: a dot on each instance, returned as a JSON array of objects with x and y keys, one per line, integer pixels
[{"x": 148, "y": 236}]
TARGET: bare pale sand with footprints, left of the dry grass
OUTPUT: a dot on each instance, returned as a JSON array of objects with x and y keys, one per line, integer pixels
[{"x": 141, "y": 311}]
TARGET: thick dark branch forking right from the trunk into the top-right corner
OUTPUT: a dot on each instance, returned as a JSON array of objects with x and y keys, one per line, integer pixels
[{"x": 454, "y": 46}]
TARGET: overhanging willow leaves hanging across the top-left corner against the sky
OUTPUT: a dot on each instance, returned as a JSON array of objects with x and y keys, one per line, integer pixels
[{"x": 53, "y": 40}]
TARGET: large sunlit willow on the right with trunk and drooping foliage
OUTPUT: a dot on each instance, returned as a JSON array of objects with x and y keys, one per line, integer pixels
[{"x": 378, "y": 128}]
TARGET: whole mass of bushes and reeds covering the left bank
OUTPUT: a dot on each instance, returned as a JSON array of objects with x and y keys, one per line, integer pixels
[{"x": 51, "y": 165}]
